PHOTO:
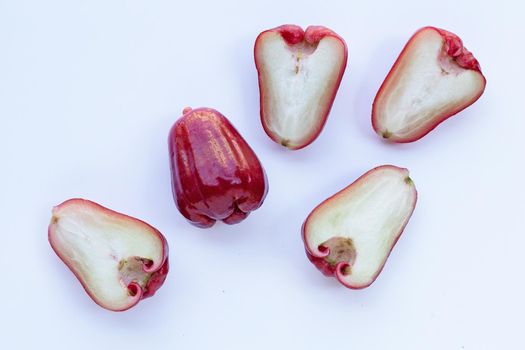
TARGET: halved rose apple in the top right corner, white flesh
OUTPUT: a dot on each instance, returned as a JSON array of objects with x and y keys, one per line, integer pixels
[{"x": 434, "y": 78}]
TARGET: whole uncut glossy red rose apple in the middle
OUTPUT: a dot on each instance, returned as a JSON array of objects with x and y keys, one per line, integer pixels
[{"x": 215, "y": 173}]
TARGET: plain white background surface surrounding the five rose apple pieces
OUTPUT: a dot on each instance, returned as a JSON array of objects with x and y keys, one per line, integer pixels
[{"x": 88, "y": 92}]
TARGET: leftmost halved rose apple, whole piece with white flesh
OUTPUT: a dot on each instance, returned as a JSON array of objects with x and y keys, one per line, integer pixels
[{"x": 118, "y": 259}]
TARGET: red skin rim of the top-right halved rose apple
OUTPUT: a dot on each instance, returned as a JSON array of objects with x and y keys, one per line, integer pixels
[{"x": 464, "y": 58}]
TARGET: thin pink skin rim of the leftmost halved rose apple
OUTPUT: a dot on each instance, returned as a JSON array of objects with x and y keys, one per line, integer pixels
[{"x": 158, "y": 274}]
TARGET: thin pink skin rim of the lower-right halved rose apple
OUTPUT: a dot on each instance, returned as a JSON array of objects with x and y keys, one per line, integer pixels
[{"x": 317, "y": 257}]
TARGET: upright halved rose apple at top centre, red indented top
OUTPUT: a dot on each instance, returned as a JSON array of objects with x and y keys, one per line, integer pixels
[{"x": 299, "y": 74}]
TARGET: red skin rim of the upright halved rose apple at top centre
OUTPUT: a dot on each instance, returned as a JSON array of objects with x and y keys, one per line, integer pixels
[{"x": 294, "y": 34}]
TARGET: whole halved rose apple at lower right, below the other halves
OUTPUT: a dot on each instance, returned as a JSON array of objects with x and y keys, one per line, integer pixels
[{"x": 351, "y": 234}]
